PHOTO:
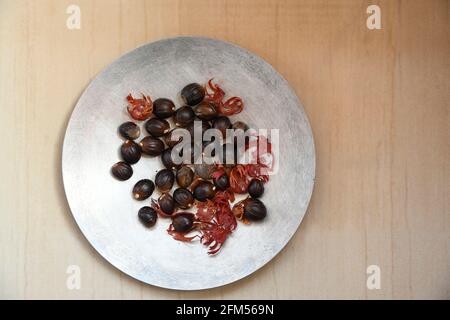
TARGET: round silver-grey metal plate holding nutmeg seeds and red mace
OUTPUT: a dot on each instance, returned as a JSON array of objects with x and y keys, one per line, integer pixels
[{"x": 103, "y": 207}]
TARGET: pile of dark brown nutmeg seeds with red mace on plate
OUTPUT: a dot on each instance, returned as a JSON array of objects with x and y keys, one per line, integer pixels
[{"x": 200, "y": 206}]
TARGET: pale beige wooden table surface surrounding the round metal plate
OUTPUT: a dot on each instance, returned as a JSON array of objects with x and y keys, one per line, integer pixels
[{"x": 377, "y": 100}]
